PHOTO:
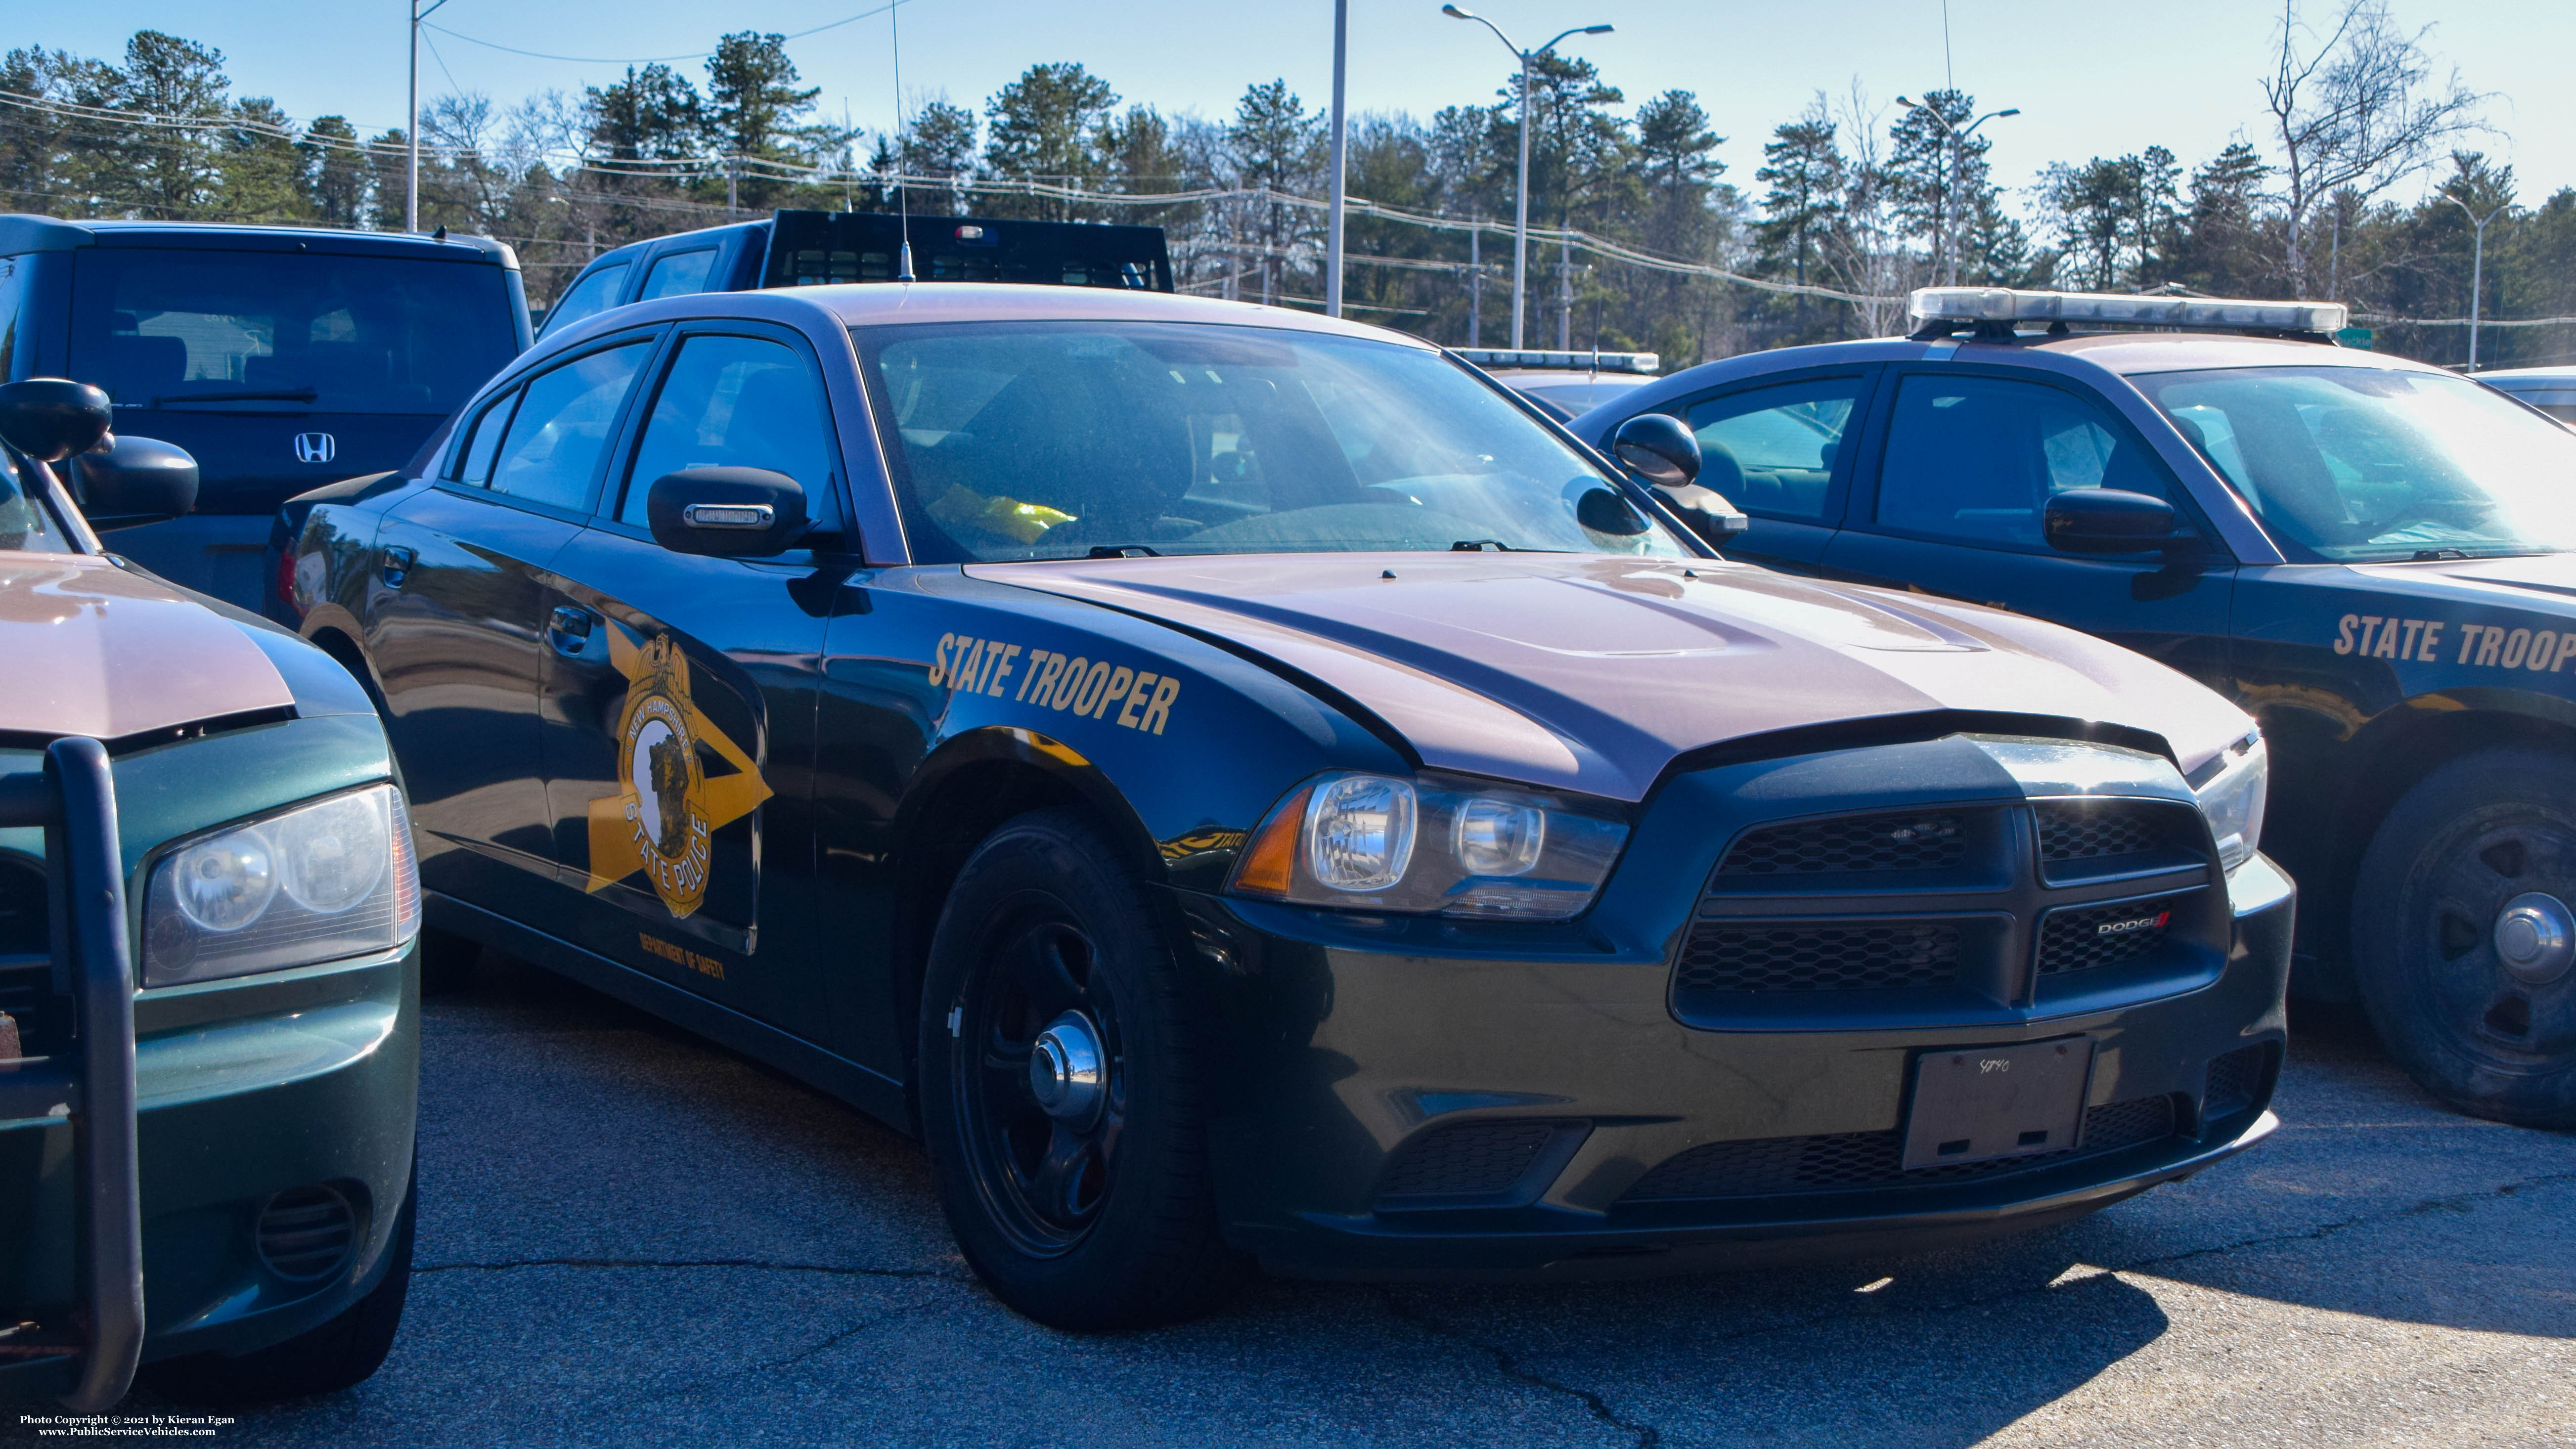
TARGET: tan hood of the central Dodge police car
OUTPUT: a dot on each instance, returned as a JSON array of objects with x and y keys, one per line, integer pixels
[{"x": 1593, "y": 673}]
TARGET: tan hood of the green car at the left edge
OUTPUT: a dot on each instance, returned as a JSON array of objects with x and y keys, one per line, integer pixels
[{"x": 109, "y": 652}]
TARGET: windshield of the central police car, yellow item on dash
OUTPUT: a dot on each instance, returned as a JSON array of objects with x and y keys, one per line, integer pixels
[{"x": 1065, "y": 441}]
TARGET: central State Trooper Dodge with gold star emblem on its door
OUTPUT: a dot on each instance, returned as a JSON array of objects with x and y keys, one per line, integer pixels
[{"x": 1243, "y": 784}]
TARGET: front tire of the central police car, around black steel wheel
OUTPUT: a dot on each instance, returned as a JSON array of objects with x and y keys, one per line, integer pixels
[{"x": 1094, "y": 1221}]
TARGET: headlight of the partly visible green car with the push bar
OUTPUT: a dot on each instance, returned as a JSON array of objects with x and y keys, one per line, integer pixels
[{"x": 321, "y": 881}]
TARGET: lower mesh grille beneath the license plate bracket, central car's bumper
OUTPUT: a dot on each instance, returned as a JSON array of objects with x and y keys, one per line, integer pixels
[{"x": 1856, "y": 1162}]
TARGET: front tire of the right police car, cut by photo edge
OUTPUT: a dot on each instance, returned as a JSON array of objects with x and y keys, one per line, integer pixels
[{"x": 2451, "y": 856}]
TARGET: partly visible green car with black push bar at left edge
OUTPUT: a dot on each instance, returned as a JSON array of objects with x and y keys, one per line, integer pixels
[{"x": 210, "y": 1008}]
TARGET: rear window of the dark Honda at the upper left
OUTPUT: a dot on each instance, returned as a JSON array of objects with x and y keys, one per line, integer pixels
[{"x": 287, "y": 331}]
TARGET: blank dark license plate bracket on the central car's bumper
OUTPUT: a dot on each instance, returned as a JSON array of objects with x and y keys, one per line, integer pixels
[{"x": 1977, "y": 1105}]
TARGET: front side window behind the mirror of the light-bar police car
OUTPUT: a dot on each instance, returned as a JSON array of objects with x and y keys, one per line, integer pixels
[{"x": 1975, "y": 459}]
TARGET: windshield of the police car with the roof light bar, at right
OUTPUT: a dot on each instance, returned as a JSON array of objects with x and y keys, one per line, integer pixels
[{"x": 2363, "y": 465}]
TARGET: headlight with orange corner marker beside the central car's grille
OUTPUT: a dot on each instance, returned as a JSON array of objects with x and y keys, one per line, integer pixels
[{"x": 1374, "y": 843}]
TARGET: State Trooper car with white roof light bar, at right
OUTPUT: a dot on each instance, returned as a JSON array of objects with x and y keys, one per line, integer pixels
[{"x": 2369, "y": 555}]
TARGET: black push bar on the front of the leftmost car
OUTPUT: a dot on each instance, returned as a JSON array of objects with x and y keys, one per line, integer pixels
[{"x": 76, "y": 804}]
